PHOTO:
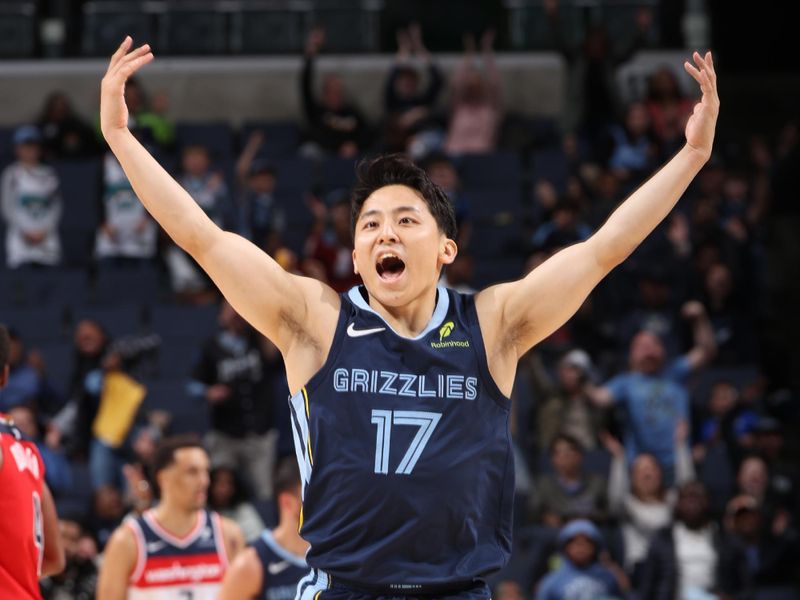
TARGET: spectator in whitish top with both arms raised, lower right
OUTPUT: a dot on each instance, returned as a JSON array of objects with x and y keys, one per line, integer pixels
[{"x": 641, "y": 502}]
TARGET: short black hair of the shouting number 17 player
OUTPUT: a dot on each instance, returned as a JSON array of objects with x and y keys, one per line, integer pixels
[{"x": 398, "y": 169}]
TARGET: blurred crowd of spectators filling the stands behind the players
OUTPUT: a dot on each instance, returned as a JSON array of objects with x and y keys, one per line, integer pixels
[{"x": 653, "y": 461}]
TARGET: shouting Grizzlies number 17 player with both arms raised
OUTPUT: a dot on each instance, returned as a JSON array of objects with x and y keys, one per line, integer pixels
[{"x": 401, "y": 389}]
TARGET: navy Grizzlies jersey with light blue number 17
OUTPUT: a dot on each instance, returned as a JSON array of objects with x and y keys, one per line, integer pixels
[{"x": 405, "y": 453}]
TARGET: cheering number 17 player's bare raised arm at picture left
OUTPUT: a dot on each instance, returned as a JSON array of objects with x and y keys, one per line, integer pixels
[{"x": 274, "y": 302}]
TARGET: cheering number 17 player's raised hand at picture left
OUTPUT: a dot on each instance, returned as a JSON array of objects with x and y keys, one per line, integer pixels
[{"x": 124, "y": 63}]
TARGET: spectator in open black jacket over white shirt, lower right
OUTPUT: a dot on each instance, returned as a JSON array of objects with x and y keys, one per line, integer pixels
[{"x": 693, "y": 559}]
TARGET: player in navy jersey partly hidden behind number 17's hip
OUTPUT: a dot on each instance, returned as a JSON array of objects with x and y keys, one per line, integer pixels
[{"x": 271, "y": 567}]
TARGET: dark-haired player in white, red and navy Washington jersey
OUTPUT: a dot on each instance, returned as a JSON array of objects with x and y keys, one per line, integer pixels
[{"x": 177, "y": 550}]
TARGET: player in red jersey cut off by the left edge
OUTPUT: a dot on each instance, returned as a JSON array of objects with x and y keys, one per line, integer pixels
[{"x": 30, "y": 542}]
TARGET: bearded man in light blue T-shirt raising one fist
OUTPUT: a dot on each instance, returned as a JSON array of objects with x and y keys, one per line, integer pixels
[{"x": 653, "y": 394}]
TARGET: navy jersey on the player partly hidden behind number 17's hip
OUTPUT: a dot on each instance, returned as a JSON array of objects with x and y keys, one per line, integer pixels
[{"x": 282, "y": 569}]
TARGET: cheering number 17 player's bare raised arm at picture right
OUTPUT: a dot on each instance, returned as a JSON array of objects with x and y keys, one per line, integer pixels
[{"x": 515, "y": 316}]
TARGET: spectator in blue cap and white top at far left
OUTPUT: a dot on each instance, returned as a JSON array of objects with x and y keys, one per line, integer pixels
[{"x": 31, "y": 204}]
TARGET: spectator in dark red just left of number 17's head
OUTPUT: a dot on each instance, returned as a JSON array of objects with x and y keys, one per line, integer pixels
[{"x": 330, "y": 243}]
